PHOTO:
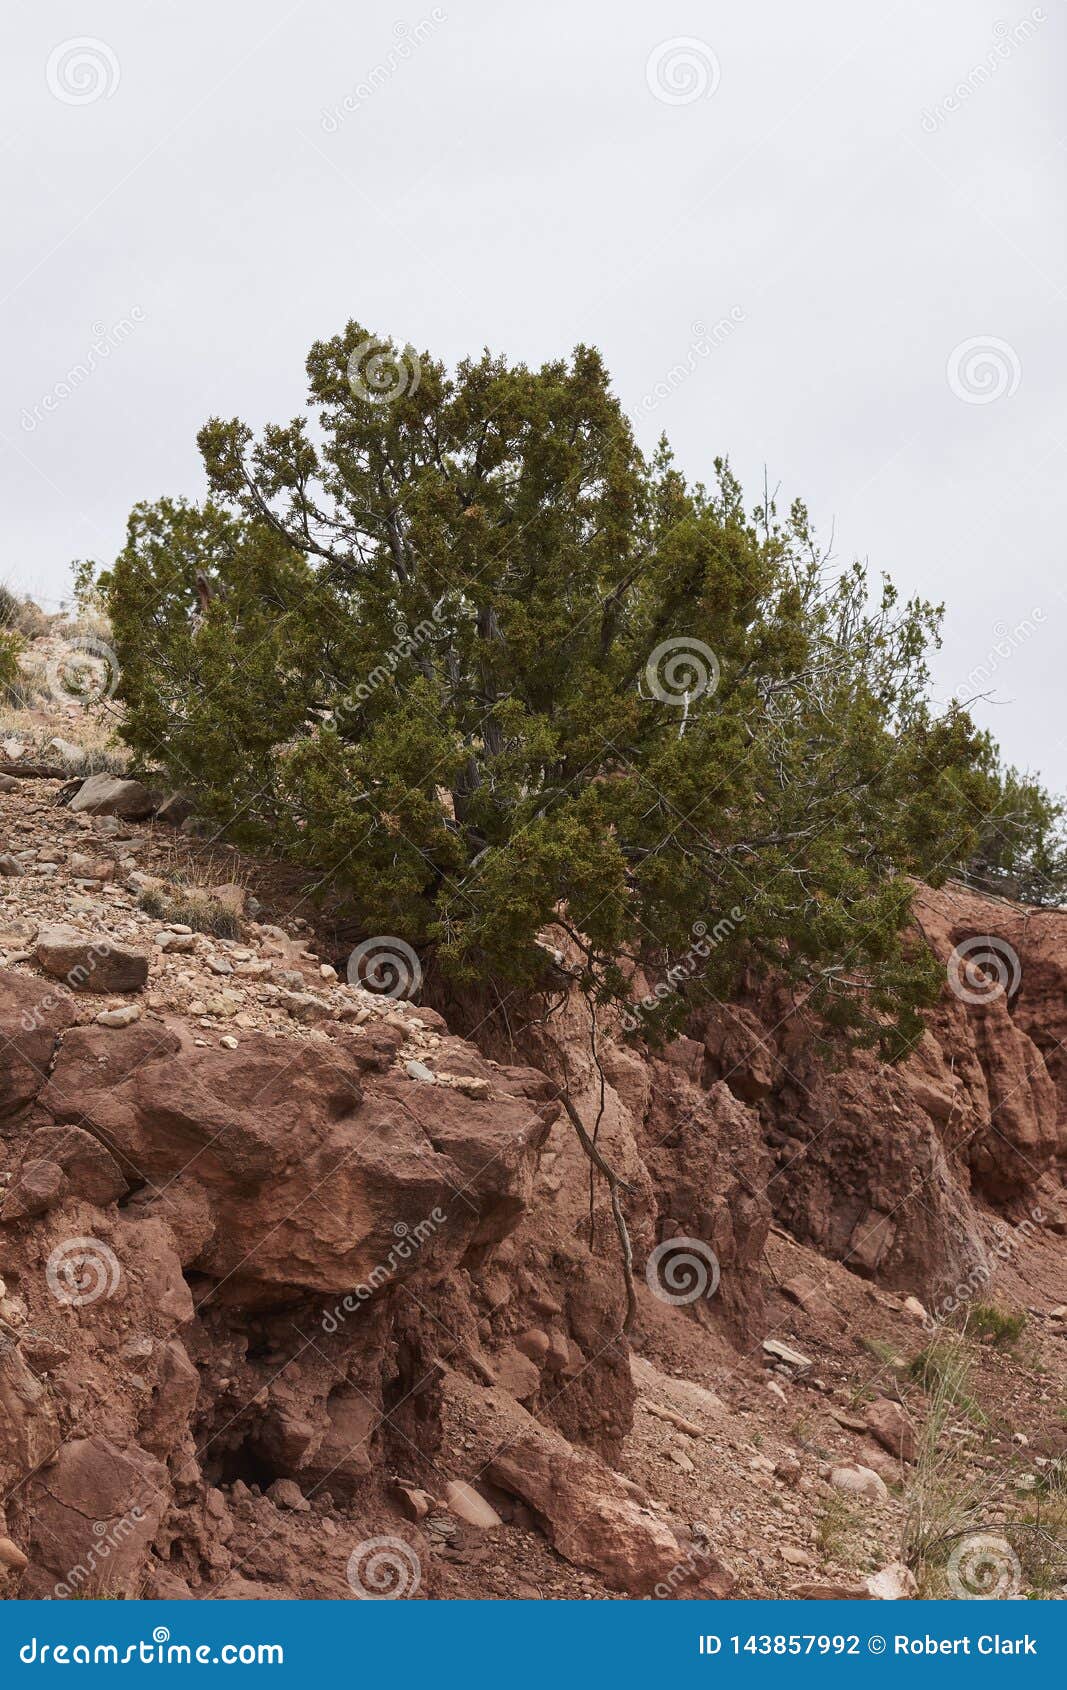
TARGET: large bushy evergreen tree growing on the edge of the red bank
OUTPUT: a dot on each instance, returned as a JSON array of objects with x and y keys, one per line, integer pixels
[{"x": 430, "y": 657}]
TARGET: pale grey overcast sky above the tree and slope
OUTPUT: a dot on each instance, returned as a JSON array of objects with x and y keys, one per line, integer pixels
[{"x": 826, "y": 239}]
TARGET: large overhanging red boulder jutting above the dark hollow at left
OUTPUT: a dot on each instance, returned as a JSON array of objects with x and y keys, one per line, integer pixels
[{"x": 319, "y": 1177}]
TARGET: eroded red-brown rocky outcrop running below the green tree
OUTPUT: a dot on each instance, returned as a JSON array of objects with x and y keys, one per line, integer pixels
[{"x": 268, "y": 1297}]
